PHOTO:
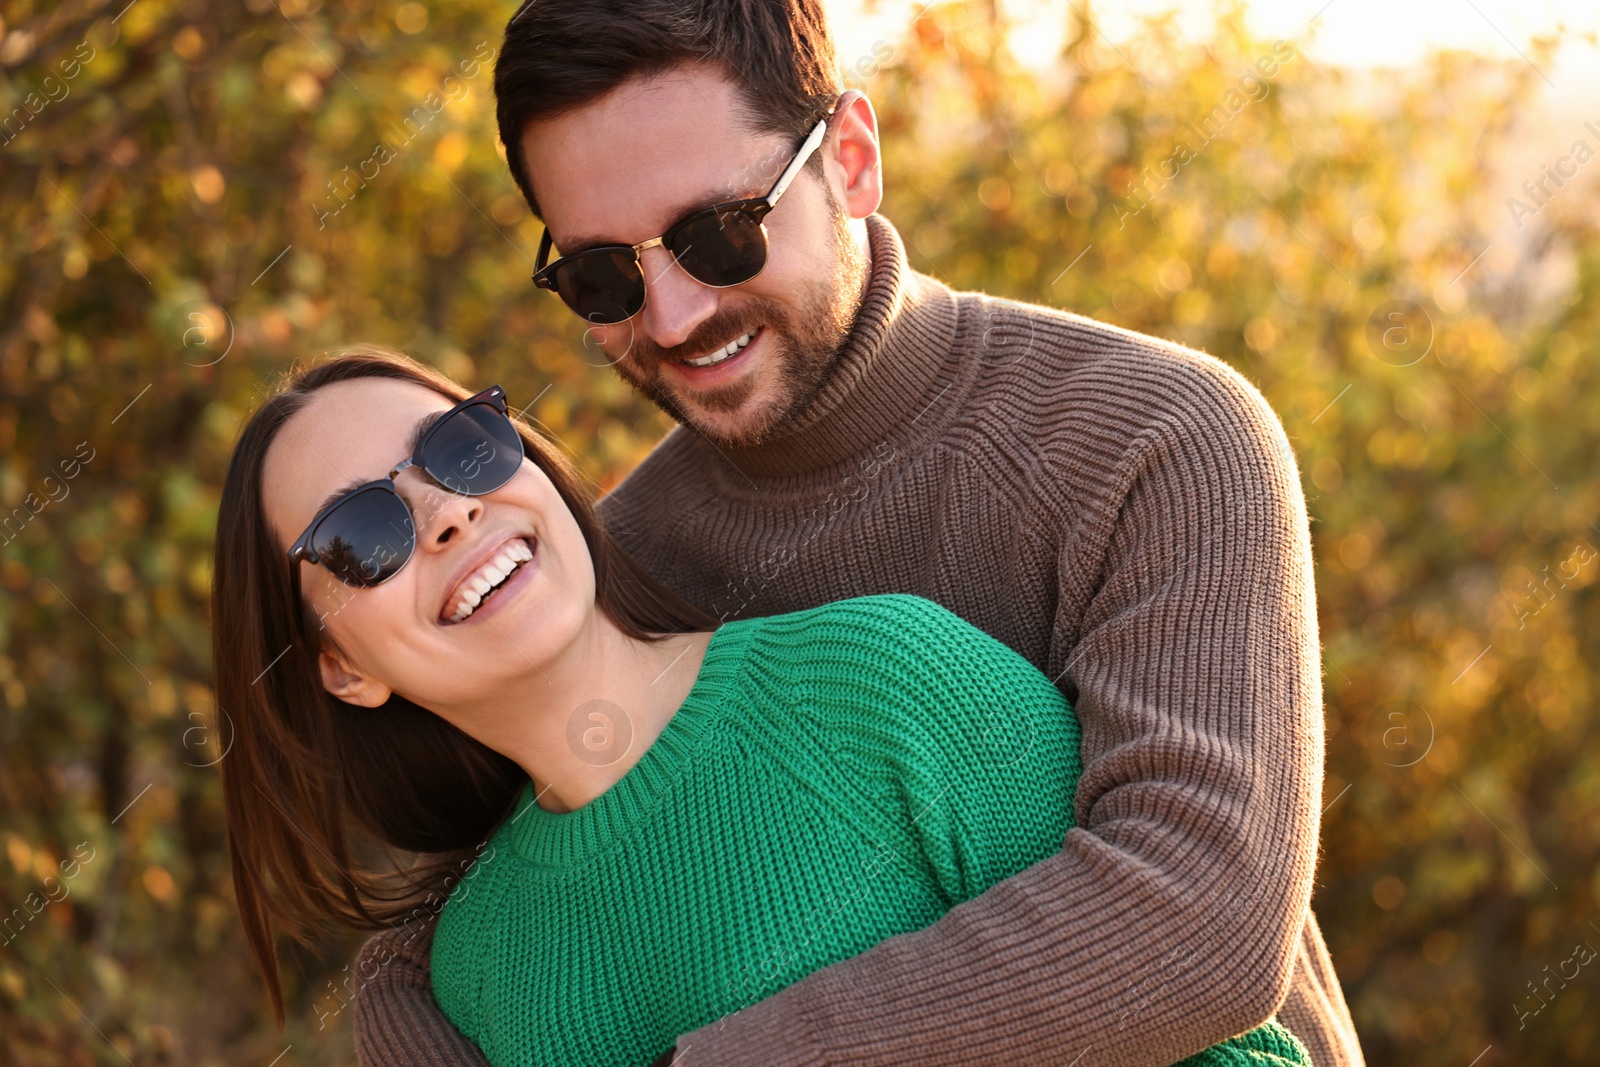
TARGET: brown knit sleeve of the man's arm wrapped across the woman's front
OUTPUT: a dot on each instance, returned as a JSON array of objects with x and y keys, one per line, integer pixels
[{"x": 1170, "y": 917}]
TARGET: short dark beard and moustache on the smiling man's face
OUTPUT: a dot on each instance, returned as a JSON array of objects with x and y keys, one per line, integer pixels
[{"x": 804, "y": 350}]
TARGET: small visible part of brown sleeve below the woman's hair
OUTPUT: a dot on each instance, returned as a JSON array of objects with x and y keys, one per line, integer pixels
[{"x": 398, "y": 1021}]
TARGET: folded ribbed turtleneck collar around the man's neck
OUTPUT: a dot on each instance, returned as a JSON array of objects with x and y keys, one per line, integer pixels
[{"x": 897, "y": 366}]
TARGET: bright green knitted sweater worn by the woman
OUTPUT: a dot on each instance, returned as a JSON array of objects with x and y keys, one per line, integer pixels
[{"x": 836, "y": 777}]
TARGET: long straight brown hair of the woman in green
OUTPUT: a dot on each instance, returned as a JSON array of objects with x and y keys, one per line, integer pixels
[{"x": 308, "y": 778}]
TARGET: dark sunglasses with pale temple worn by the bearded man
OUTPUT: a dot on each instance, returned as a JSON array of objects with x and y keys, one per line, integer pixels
[{"x": 719, "y": 247}]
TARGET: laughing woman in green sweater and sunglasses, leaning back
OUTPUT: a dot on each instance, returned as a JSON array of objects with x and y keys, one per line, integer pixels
[{"x": 644, "y": 821}]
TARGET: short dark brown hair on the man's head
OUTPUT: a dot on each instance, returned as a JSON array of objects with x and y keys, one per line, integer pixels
[{"x": 566, "y": 54}]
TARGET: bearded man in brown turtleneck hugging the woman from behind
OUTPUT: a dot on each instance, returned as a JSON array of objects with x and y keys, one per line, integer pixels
[{"x": 1122, "y": 511}]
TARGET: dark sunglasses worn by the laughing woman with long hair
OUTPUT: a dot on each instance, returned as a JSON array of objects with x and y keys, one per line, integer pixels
[{"x": 367, "y": 535}]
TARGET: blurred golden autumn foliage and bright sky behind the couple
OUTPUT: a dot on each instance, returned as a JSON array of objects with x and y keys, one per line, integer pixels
[{"x": 1383, "y": 215}]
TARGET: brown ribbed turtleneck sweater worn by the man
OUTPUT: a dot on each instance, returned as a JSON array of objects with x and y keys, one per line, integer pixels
[{"x": 1127, "y": 514}]
